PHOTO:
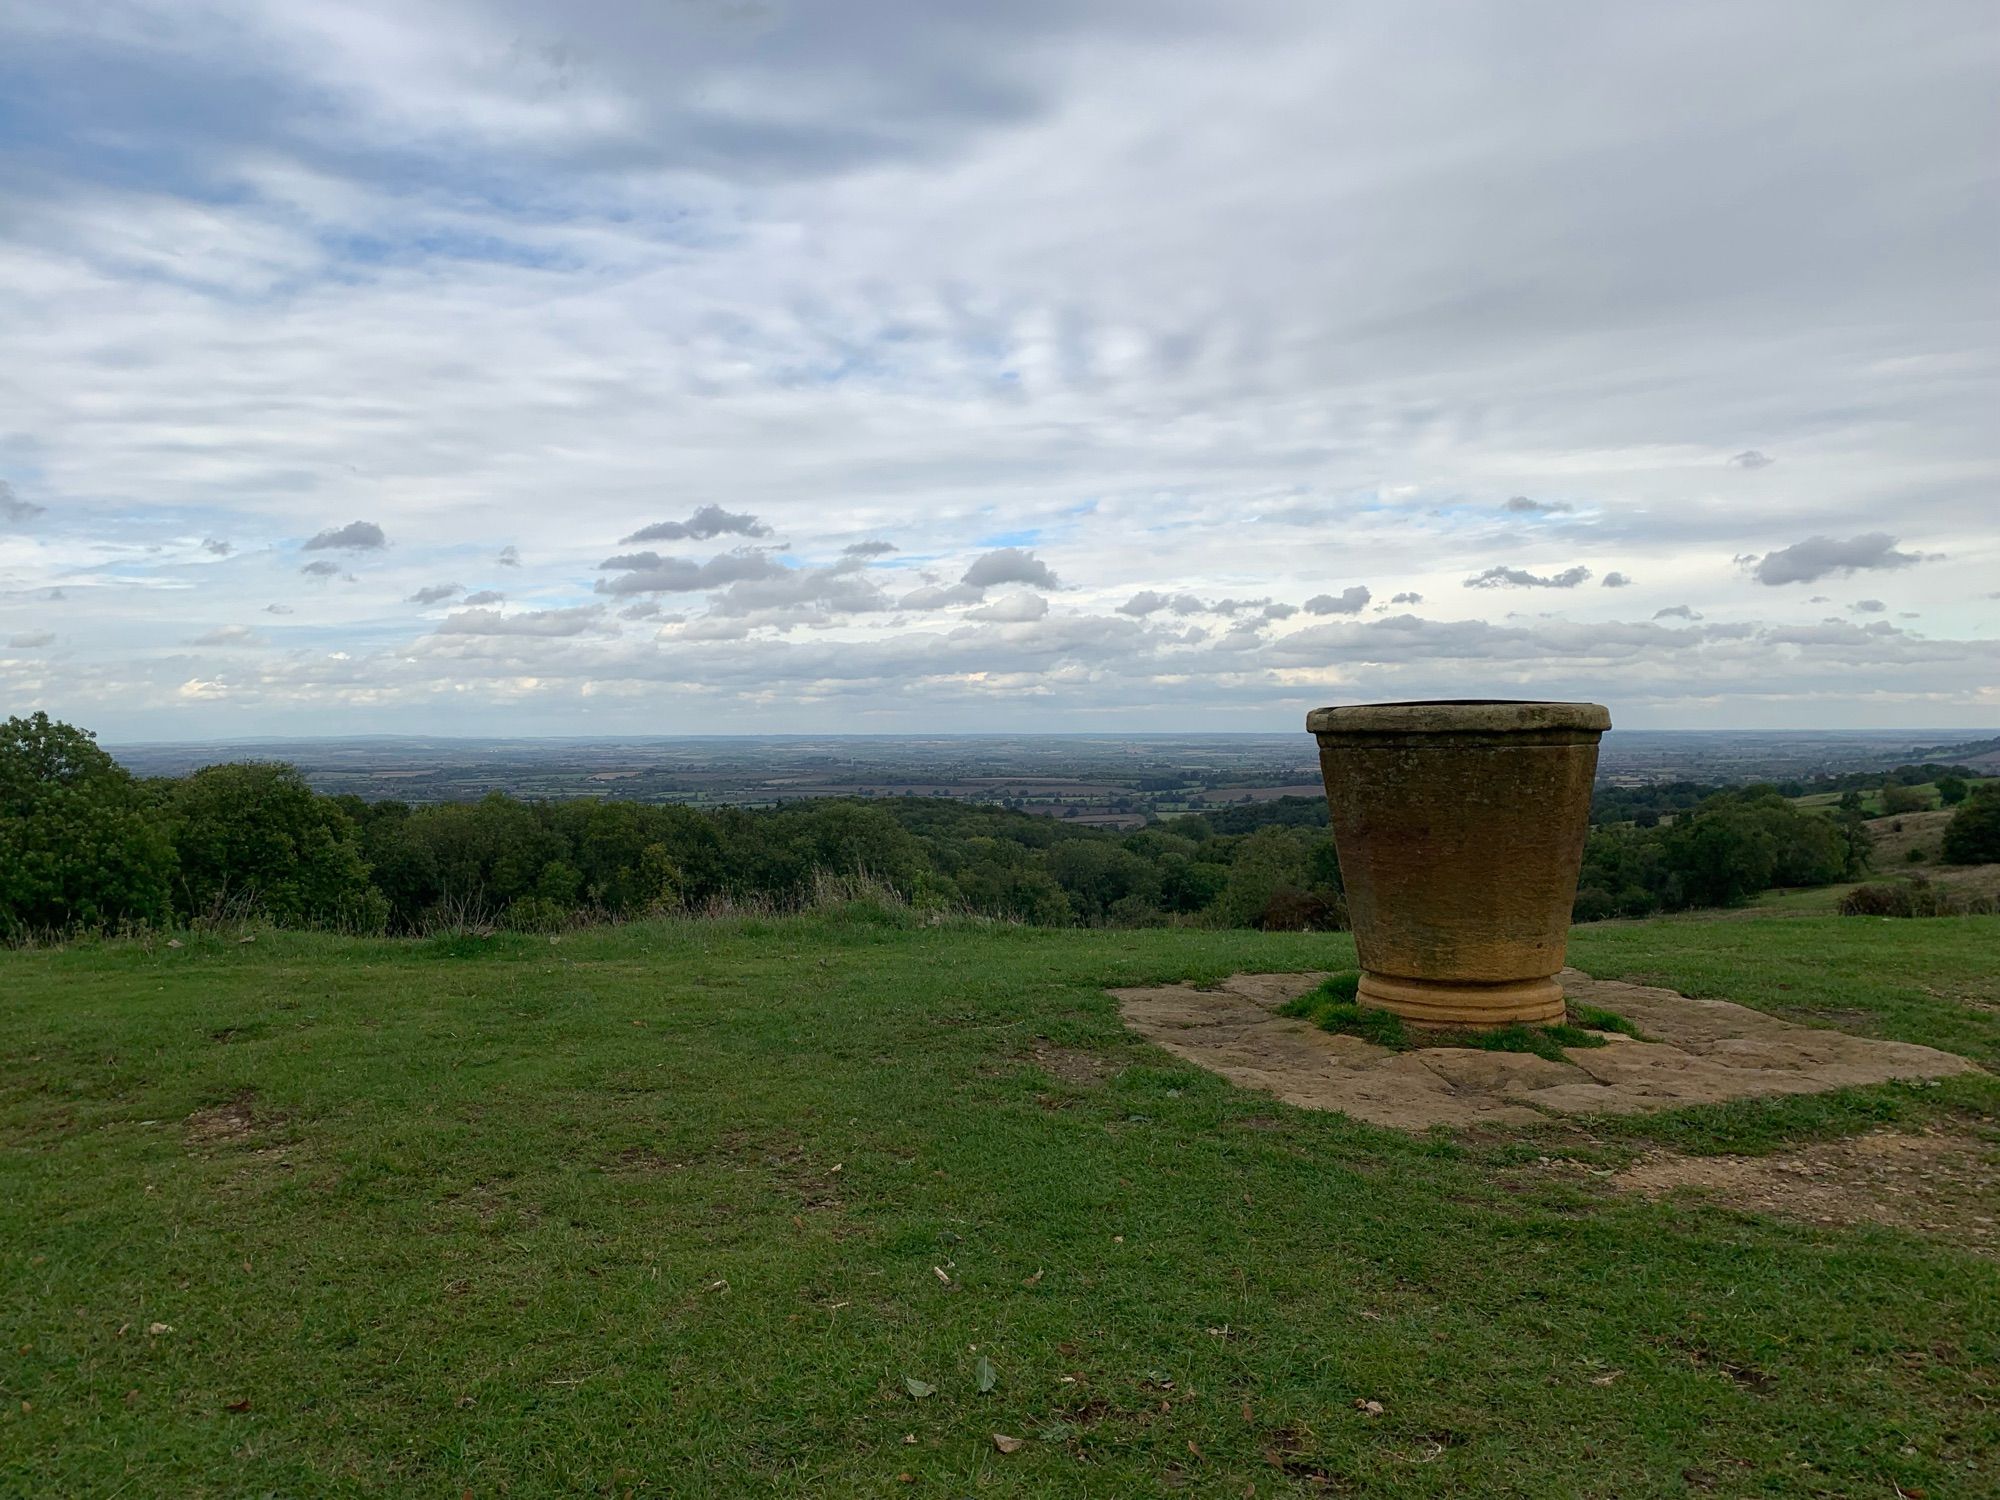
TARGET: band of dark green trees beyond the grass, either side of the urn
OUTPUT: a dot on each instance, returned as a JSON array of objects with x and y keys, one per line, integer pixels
[{"x": 89, "y": 847}]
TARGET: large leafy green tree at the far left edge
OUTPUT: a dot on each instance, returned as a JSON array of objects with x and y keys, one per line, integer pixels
[{"x": 79, "y": 843}]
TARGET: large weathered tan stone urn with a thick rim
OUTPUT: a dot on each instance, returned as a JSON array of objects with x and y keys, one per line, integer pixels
[{"x": 1461, "y": 833}]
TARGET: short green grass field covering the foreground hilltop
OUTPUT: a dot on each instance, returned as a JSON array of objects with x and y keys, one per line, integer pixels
[{"x": 761, "y": 1207}]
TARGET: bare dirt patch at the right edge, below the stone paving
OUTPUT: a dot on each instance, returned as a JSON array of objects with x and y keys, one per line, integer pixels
[{"x": 1937, "y": 1183}]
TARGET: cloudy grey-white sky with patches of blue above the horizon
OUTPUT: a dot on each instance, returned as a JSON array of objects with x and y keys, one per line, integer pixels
[{"x": 509, "y": 367}]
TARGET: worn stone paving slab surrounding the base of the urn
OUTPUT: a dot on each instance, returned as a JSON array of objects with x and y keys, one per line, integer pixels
[{"x": 1697, "y": 1053}]
